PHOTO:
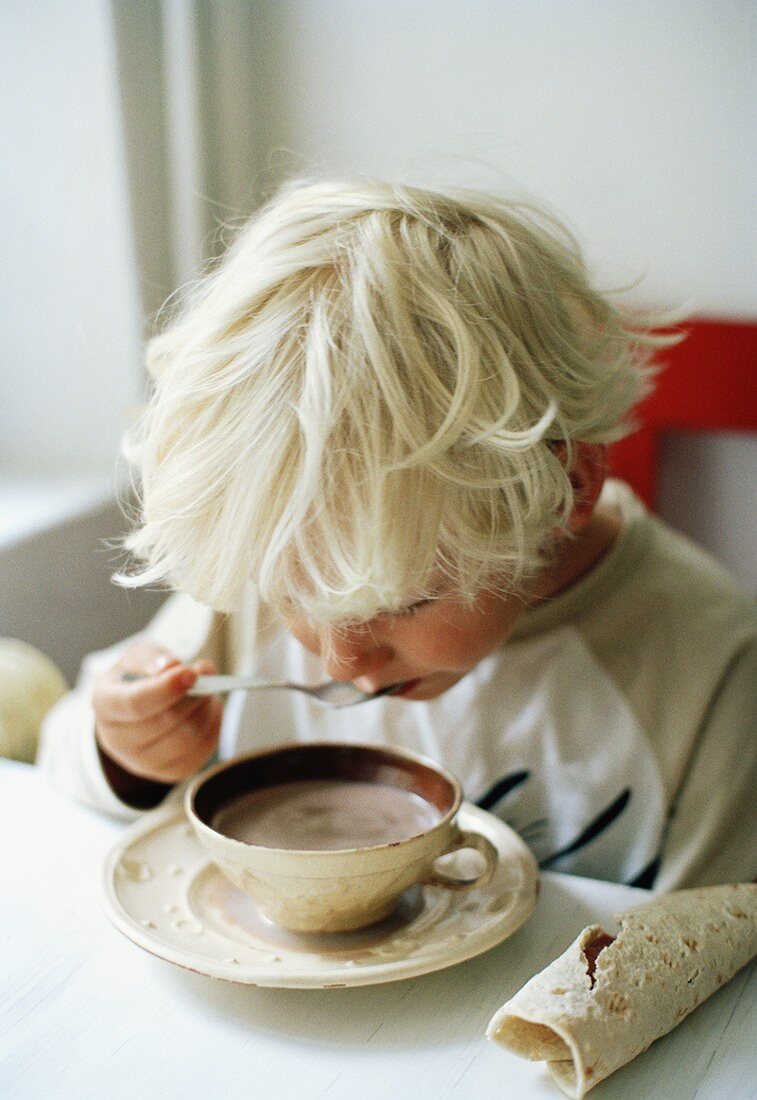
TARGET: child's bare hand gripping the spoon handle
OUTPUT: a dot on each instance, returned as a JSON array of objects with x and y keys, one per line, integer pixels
[{"x": 148, "y": 725}]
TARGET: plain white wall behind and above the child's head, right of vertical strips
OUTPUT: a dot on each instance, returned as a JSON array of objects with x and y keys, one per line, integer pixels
[{"x": 632, "y": 118}]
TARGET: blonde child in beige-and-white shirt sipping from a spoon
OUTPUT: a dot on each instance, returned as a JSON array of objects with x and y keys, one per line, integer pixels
[{"x": 376, "y": 453}]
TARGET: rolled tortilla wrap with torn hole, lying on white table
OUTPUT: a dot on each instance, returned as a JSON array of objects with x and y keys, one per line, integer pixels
[{"x": 608, "y": 998}]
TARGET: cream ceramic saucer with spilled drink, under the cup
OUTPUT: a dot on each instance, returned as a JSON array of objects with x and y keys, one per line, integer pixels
[{"x": 164, "y": 894}]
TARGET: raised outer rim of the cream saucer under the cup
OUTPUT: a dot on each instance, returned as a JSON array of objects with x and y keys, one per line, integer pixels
[{"x": 413, "y": 965}]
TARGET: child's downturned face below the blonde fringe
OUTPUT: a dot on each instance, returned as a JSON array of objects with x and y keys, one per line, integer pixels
[{"x": 430, "y": 646}]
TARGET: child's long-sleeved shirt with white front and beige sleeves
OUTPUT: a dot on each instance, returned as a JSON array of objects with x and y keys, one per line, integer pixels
[{"x": 616, "y": 730}]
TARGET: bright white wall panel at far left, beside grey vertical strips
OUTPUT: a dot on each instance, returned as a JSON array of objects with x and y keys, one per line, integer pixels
[{"x": 70, "y": 313}]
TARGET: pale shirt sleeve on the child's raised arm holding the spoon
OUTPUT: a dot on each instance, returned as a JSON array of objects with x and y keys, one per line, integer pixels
[{"x": 69, "y": 753}]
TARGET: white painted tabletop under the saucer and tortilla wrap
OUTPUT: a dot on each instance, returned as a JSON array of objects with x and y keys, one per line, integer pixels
[{"x": 85, "y": 1014}]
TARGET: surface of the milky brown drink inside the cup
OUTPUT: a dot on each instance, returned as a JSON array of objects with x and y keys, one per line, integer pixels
[{"x": 326, "y": 816}]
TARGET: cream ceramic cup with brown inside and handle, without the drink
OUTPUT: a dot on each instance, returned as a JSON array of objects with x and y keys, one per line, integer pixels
[{"x": 334, "y": 890}]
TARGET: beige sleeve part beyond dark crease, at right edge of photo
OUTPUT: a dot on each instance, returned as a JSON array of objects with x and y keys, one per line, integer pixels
[{"x": 714, "y": 828}]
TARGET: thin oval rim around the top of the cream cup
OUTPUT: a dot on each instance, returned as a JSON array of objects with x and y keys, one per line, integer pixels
[{"x": 316, "y": 854}]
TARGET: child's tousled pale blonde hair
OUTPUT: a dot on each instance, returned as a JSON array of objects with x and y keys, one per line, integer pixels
[{"x": 366, "y": 395}]
